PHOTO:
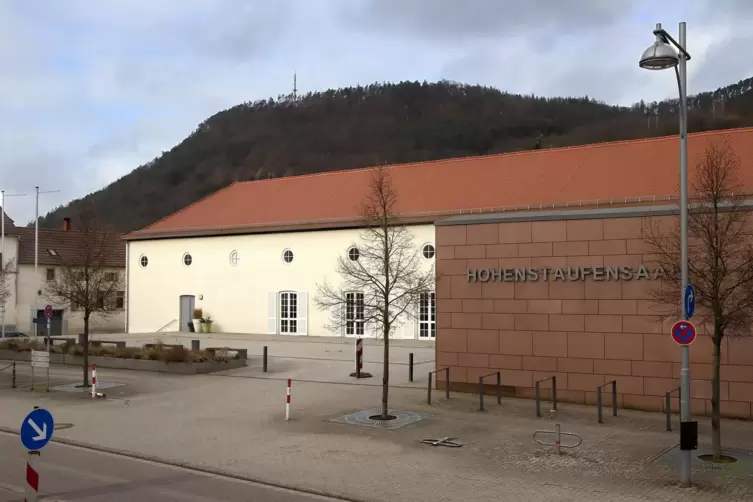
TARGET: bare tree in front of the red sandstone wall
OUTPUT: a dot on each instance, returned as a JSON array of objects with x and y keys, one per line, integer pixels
[{"x": 720, "y": 259}]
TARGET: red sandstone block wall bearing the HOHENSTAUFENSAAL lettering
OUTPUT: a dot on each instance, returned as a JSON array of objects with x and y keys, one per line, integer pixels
[{"x": 584, "y": 332}]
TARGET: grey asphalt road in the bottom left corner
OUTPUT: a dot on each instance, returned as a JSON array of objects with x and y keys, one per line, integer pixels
[{"x": 68, "y": 473}]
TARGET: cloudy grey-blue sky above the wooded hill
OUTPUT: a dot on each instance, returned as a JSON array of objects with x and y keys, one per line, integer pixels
[{"x": 91, "y": 89}]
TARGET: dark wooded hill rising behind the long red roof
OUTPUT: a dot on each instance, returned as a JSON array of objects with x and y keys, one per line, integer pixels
[{"x": 383, "y": 123}]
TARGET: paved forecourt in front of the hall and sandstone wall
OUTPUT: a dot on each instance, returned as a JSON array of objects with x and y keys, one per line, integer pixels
[{"x": 236, "y": 425}]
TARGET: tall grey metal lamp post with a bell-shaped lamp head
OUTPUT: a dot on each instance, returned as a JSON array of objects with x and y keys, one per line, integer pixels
[{"x": 661, "y": 56}]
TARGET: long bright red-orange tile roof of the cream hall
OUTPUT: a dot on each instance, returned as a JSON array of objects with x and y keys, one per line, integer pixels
[{"x": 617, "y": 170}]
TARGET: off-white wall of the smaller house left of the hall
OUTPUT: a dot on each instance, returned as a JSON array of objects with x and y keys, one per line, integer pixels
[{"x": 30, "y": 283}]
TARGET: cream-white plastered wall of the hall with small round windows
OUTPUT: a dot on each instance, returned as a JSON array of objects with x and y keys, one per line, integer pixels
[{"x": 238, "y": 297}]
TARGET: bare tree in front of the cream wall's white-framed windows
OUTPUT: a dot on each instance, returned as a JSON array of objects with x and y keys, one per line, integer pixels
[{"x": 380, "y": 285}]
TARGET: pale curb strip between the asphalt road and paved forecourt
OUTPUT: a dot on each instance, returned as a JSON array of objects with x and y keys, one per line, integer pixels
[{"x": 187, "y": 466}]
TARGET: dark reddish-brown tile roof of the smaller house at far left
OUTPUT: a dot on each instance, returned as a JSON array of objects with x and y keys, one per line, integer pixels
[{"x": 68, "y": 247}]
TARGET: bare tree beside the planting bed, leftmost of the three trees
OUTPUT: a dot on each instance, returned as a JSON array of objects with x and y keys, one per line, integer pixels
[{"x": 87, "y": 280}]
